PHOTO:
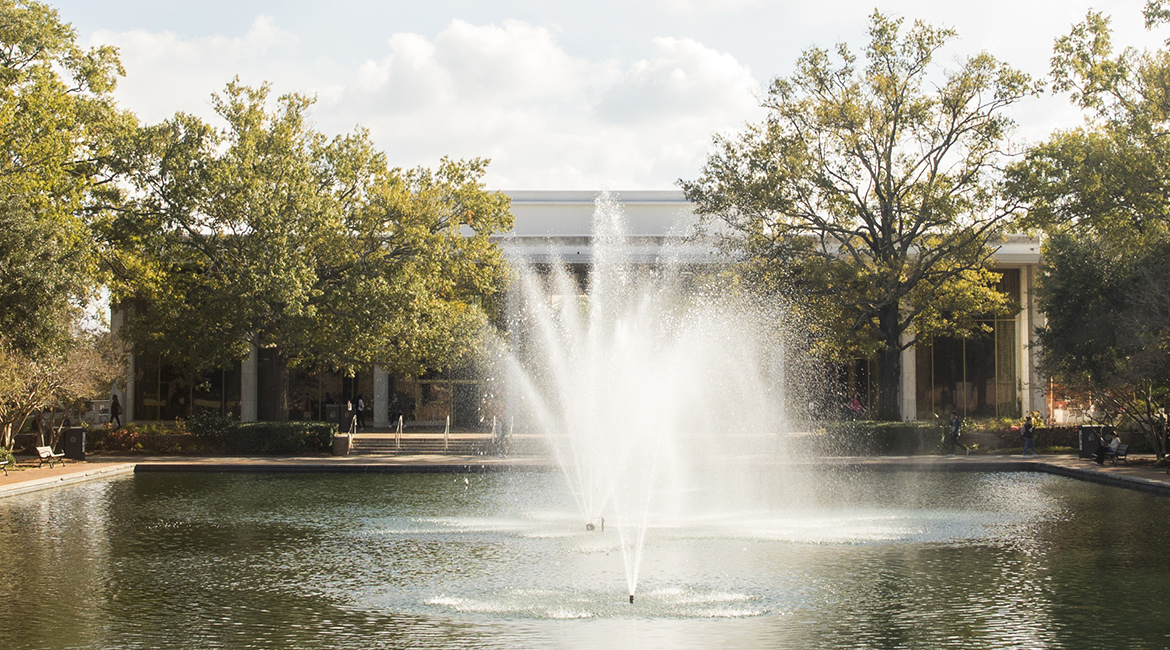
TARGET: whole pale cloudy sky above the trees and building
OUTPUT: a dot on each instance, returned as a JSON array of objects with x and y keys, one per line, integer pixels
[{"x": 559, "y": 95}]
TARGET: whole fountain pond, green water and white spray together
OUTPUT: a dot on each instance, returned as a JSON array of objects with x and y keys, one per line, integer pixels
[{"x": 660, "y": 396}]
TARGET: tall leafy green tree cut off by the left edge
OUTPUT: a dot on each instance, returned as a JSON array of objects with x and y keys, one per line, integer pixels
[{"x": 58, "y": 121}]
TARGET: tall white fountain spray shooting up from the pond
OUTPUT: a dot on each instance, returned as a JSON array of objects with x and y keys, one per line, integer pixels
[{"x": 649, "y": 384}]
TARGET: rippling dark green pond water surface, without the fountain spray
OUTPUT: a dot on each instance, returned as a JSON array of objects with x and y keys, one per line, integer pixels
[{"x": 870, "y": 561}]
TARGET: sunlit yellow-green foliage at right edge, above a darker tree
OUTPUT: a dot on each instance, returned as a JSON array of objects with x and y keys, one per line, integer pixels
[{"x": 1111, "y": 176}]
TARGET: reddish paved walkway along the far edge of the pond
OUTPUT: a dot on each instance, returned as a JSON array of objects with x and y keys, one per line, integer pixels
[{"x": 29, "y": 478}]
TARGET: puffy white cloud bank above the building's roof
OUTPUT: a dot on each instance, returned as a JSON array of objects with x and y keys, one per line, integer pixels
[{"x": 508, "y": 92}]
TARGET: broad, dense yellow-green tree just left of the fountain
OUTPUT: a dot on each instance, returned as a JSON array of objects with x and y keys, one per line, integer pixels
[{"x": 265, "y": 233}]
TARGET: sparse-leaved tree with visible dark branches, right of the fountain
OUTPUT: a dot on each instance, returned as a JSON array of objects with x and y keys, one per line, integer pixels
[{"x": 873, "y": 192}]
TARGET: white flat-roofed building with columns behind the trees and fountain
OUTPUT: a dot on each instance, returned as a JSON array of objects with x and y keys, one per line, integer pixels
[{"x": 989, "y": 377}]
